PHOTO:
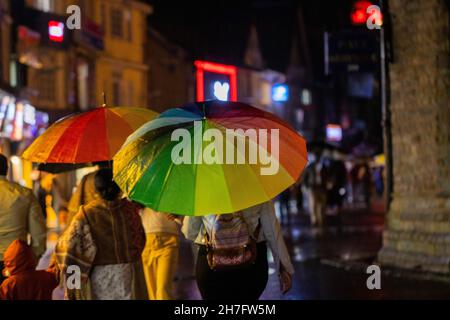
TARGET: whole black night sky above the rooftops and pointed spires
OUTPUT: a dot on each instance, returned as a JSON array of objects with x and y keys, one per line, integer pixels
[{"x": 218, "y": 30}]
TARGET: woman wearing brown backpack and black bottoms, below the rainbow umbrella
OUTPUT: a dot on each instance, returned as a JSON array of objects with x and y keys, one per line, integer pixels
[{"x": 232, "y": 257}]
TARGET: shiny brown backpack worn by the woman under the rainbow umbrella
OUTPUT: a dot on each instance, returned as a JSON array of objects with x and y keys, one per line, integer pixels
[{"x": 230, "y": 244}]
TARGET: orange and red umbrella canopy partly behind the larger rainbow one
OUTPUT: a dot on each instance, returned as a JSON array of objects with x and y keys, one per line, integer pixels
[{"x": 83, "y": 138}]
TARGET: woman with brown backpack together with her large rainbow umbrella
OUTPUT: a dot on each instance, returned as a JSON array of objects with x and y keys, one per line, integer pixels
[{"x": 161, "y": 166}]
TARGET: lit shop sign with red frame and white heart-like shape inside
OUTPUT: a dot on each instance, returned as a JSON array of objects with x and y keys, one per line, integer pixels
[{"x": 215, "y": 81}]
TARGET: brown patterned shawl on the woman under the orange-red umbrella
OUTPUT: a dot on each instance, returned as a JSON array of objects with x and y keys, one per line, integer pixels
[{"x": 101, "y": 233}]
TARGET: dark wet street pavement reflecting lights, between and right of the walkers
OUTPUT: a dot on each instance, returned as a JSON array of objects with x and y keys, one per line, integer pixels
[{"x": 324, "y": 260}]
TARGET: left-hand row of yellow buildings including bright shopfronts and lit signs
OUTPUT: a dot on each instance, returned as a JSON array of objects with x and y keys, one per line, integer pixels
[{"x": 51, "y": 68}]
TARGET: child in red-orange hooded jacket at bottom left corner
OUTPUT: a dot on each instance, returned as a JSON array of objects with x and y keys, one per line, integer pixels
[{"x": 23, "y": 281}]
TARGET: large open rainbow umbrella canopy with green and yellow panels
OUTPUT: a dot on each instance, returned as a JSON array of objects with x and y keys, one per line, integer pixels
[{"x": 200, "y": 159}]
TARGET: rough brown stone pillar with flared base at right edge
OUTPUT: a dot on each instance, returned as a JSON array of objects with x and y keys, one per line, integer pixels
[{"x": 417, "y": 232}]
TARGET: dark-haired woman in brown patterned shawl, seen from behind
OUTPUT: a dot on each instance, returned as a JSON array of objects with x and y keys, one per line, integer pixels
[{"x": 105, "y": 240}]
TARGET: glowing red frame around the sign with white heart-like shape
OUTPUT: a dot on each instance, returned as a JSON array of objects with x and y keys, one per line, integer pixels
[{"x": 204, "y": 66}]
